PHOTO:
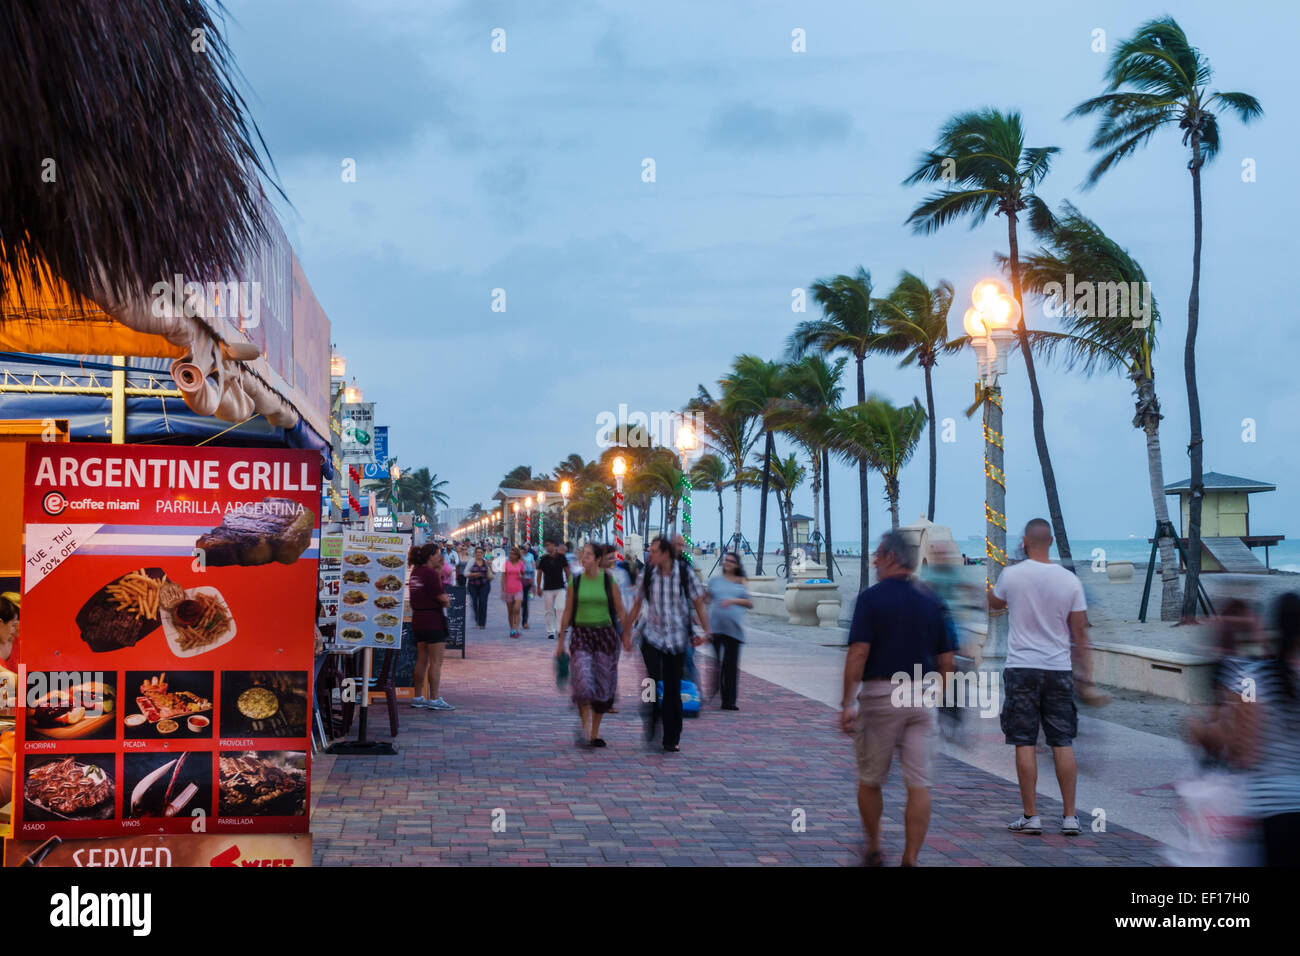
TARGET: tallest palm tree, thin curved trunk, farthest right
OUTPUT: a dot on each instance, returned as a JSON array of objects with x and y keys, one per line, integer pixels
[{"x": 1156, "y": 80}]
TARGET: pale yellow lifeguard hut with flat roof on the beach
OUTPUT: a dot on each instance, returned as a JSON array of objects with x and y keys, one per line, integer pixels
[{"x": 1227, "y": 537}]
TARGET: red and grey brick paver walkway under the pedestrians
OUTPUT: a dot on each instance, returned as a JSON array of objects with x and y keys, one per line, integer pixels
[{"x": 734, "y": 795}]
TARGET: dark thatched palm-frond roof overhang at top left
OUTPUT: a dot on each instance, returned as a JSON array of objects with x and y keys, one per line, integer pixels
[{"x": 122, "y": 206}]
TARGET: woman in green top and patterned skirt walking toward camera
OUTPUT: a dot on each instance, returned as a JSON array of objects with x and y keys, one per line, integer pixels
[{"x": 593, "y": 607}]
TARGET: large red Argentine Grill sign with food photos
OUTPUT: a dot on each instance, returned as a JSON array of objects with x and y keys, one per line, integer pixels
[{"x": 168, "y": 608}]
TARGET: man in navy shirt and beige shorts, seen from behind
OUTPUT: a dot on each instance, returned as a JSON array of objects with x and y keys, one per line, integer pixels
[{"x": 896, "y": 628}]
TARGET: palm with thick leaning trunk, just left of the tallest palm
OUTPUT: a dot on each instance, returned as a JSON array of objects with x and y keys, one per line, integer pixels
[{"x": 1076, "y": 254}]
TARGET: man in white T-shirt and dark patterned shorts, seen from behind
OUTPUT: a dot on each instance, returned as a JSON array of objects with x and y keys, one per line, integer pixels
[{"x": 1047, "y": 608}]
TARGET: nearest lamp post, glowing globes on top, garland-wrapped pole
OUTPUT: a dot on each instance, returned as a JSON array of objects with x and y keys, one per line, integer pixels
[{"x": 991, "y": 325}]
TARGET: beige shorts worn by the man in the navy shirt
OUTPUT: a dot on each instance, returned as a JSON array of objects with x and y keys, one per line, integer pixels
[{"x": 885, "y": 729}]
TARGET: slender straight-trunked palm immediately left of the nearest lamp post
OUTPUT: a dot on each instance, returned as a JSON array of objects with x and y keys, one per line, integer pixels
[{"x": 916, "y": 319}]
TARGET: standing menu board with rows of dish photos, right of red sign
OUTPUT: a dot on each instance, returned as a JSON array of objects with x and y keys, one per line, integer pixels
[{"x": 372, "y": 591}]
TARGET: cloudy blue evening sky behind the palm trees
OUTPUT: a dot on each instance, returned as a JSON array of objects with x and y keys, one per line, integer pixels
[{"x": 523, "y": 171}]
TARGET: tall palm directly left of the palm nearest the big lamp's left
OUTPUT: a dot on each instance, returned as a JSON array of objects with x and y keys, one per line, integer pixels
[{"x": 848, "y": 326}]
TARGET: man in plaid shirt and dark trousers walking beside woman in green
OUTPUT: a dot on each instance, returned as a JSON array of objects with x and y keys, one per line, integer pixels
[{"x": 668, "y": 594}]
